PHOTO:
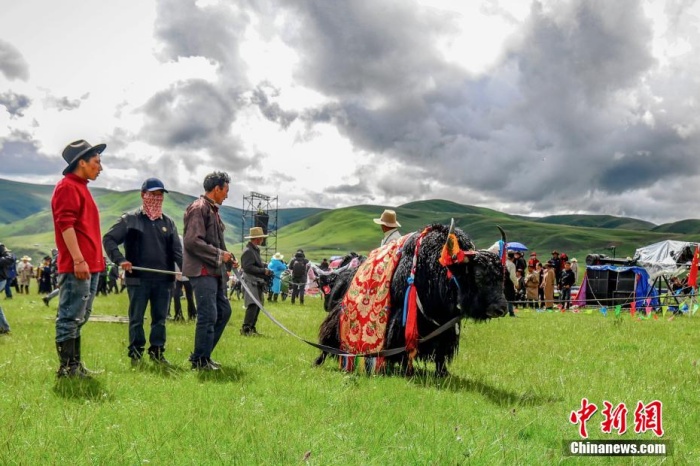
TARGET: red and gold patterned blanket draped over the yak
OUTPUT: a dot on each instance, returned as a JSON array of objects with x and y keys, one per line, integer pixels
[{"x": 367, "y": 304}]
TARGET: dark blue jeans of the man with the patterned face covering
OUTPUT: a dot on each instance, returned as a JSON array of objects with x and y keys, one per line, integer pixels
[{"x": 157, "y": 292}]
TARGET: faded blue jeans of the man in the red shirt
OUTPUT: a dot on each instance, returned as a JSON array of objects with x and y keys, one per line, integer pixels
[{"x": 74, "y": 304}]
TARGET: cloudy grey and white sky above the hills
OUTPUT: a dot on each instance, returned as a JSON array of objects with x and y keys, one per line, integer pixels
[{"x": 543, "y": 107}]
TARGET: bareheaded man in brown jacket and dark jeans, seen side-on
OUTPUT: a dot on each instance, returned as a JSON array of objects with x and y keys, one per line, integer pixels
[{"x": 205, "y": 260}]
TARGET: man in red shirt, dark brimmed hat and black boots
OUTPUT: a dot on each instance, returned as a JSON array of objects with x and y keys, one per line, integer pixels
[{"x": 79, "y": 241}]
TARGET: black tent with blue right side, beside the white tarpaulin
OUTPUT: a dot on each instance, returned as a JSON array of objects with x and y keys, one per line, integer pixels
[{"x": 610, "y": 285}]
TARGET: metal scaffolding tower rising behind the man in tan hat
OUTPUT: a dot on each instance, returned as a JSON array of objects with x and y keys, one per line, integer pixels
[{"x": 260, "y": 210}]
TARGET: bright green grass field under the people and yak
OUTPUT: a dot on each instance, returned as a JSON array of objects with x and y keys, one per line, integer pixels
[{"x": 508, "y": 400}]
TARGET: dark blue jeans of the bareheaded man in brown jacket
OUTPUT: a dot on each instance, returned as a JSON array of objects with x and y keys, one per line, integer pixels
[{"x": 213, "y": 313}]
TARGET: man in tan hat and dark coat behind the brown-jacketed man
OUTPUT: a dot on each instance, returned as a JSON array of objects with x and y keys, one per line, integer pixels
[{"x": 255, "y": 277}]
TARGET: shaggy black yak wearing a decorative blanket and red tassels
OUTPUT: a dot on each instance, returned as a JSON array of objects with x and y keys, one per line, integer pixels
[{"x": 470, "y": 287}]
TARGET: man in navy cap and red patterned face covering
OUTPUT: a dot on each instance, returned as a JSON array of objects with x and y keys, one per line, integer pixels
[{"x": 150, "y": 241}]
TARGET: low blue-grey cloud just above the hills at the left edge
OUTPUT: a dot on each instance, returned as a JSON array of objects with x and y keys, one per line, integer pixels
[{"x": 21, "y": 156}]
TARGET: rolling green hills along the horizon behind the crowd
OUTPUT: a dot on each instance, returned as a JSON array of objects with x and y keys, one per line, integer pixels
[{"x": 26, "y": 225}]
